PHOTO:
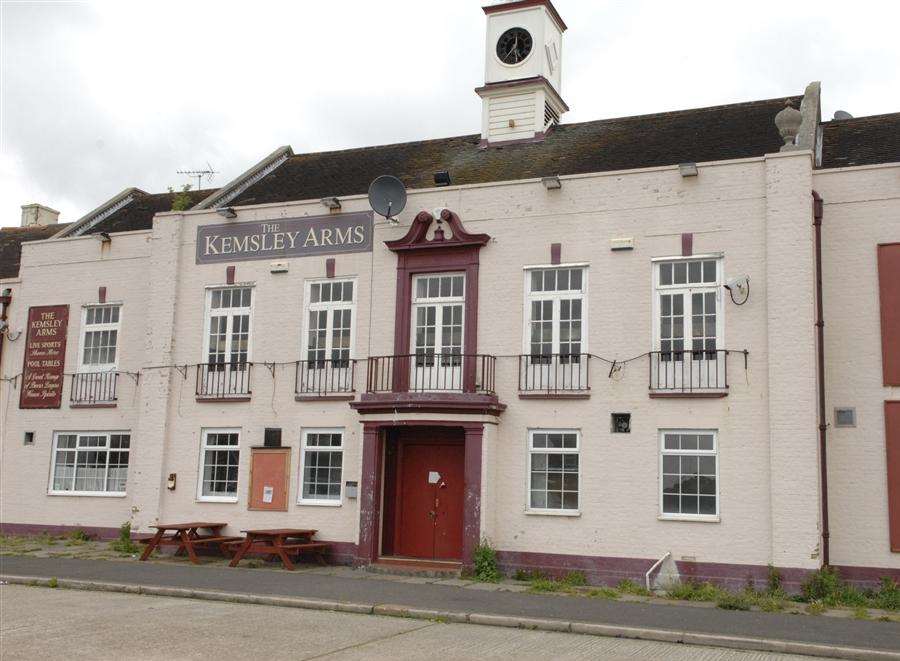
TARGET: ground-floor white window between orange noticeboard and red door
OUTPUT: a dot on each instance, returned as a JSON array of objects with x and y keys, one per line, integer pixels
[{"x": 321, "y": 464}]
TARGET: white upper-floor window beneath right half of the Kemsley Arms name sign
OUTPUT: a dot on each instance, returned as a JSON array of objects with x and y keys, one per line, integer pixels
[{"x": 329, "y": 323}]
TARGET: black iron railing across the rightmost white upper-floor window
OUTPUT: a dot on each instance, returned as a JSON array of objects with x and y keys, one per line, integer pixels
[{"x": 689, "y": 371}]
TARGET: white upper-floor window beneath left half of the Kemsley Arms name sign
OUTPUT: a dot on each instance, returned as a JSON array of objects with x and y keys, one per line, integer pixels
[{"x": 228, "y": 312}]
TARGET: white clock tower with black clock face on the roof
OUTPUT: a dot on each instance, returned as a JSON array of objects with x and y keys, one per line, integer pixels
[{"x": 521, "y": 96}]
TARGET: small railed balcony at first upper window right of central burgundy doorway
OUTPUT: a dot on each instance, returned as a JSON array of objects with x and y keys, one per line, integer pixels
[{"x": 554, "y": 376}]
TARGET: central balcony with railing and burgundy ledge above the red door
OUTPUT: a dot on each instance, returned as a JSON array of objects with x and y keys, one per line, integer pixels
[{"x": 433, "y": 382}]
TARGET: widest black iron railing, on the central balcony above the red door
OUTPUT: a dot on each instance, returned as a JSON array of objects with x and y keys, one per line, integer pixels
[{"x": 431, "y": 372}]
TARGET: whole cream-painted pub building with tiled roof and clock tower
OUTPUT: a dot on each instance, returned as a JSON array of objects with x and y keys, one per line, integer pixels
[{"x": 594, "y": 345}]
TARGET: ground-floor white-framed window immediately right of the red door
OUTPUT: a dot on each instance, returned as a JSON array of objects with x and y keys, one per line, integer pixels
[{"x": 553, "y": 470}]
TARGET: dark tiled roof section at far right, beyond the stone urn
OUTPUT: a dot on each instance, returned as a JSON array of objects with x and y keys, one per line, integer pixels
[{"x": 861, "y": 141}]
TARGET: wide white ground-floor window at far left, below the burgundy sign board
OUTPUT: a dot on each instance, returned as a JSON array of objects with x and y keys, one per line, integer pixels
[{"x": 90, "y": 463}]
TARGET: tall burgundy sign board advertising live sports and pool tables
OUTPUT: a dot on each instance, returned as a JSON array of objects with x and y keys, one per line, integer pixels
[{"x": 45, "y": 357}]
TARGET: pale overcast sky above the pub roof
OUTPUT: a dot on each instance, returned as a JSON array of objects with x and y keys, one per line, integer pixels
[{"x": 96, "y": 97}]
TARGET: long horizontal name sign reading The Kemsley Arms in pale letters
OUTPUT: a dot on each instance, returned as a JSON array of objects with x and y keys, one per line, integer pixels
[{"x": 285, "y": 237}]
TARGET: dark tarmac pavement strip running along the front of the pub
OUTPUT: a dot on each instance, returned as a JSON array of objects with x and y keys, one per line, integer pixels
[{"x": 361, "y": 587}]
